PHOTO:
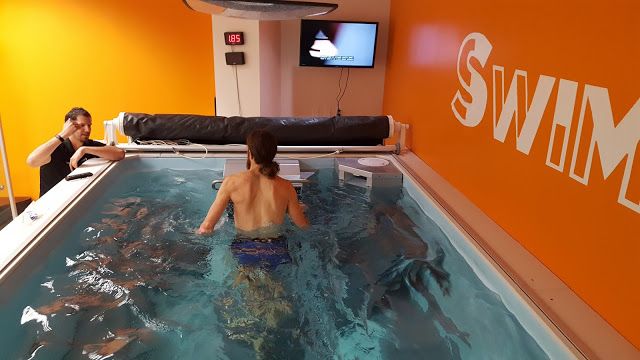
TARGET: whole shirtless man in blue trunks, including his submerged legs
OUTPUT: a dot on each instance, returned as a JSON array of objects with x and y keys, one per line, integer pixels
[{"x": 260, "y": 199}]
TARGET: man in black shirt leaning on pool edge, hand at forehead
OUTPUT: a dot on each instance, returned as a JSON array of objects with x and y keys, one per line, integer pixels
[{"x": 68, "y": 149}]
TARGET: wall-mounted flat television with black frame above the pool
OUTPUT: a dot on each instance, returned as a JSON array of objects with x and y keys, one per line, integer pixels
[{"x": 337, "y": 43}]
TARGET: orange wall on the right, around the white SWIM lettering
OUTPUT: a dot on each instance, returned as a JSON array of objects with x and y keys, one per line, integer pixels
[{"x": 580, "y": 232}]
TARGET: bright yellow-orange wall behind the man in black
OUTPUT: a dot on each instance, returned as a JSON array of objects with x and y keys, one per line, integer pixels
[{"x": 105, "y": 55}]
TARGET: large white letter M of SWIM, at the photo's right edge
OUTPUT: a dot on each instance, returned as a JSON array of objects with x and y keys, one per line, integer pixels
[{"x": 614, "y": 142}]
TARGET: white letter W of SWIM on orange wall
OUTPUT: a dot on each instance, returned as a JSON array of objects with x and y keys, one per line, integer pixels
[{"x": 511, "y": 110}]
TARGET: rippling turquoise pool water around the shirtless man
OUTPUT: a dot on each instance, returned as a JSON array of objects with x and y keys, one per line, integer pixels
[{"x": 373, "y": 278}]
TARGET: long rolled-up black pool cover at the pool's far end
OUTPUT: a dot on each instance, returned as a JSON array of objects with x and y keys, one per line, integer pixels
[{"x": 290, "y": 131}]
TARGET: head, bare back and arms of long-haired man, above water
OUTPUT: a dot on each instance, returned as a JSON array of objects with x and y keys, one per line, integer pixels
[{"x": 260, "y": 197}]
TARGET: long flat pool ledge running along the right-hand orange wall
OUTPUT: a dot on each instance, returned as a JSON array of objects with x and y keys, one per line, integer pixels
[{"x": 574, "y": 319}]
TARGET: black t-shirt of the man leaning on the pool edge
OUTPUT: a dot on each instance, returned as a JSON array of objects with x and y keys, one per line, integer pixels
[{"x": 56, "y": 170}]
